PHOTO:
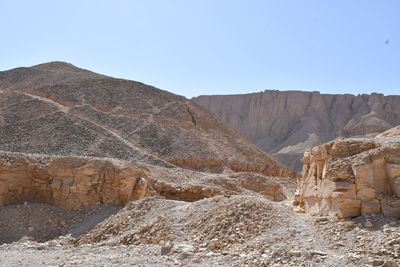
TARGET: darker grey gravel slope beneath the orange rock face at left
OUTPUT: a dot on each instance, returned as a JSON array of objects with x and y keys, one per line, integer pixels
[{"x": 42, "y": 222}]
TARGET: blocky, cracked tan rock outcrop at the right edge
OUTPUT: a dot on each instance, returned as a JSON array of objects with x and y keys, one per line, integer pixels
[{"x": 353, "y": 177}]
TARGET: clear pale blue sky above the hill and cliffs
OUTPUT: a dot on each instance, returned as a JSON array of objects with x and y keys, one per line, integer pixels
[{"x": 193, "y": 47}]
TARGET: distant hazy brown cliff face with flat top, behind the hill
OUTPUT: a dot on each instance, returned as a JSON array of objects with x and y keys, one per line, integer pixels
[{"x": 286, "y": 123}]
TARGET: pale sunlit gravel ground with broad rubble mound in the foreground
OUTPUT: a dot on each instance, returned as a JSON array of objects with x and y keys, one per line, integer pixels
[{"x": 220, "y": 231}]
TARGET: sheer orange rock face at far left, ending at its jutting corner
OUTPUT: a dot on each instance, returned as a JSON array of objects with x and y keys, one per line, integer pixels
[{"x": 70, "y": 182}]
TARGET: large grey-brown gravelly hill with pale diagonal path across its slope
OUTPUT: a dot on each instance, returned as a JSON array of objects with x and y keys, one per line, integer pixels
[{"x": 61, "y": 110}]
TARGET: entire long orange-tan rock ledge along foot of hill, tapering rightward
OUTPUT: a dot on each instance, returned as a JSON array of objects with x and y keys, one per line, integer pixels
[{"x": 74, "y": 182}]
